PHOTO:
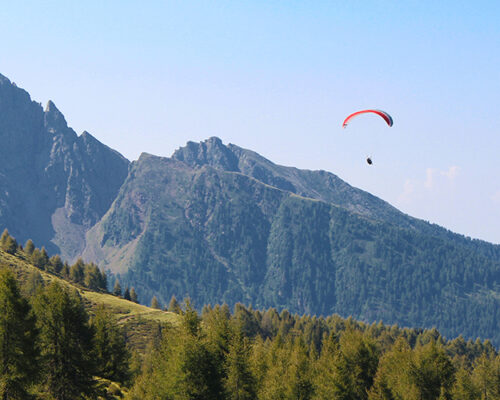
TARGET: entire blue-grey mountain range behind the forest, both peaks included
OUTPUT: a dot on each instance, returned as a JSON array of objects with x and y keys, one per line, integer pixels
[{"x": 220, "y": 223}]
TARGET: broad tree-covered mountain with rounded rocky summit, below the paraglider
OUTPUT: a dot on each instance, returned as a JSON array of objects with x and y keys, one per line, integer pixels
[{"x": 201, "y": 227}]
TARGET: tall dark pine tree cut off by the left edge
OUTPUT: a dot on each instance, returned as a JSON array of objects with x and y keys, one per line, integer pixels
[{"x": 18, "y": 353}]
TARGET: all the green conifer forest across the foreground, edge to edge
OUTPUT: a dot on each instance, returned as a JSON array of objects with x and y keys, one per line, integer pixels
[{"x": 53, "y": 347}]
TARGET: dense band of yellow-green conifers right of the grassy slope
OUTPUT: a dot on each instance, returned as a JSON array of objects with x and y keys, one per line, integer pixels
[{"x": 252, "y": 354}]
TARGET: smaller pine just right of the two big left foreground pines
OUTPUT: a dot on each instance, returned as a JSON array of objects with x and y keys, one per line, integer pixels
[{"x": 110, "y": 351}]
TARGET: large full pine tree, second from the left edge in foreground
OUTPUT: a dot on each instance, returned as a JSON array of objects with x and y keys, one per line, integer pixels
[{"x": 65, "y": 342}]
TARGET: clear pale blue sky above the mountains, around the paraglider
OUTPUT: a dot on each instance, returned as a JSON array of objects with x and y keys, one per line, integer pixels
[{"x": 279, "y": 77}]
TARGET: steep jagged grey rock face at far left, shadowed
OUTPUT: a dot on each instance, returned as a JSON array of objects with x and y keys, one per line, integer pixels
[{"x": 54, "y": 184}]
